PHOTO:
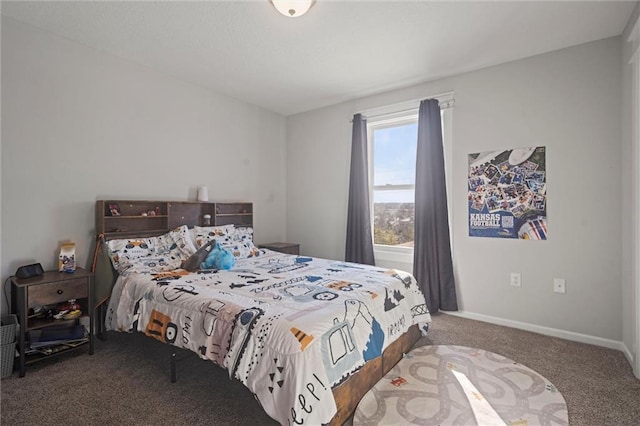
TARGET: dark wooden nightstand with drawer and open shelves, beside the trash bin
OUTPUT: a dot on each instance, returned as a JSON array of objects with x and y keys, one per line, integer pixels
[{"x": 48, "y": 290}]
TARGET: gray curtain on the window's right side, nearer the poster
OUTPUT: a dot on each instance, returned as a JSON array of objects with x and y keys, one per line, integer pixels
[{"x": 432, "y": 263}]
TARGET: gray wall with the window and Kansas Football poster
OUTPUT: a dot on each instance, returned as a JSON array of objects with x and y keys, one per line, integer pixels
[{"x": 568, "y": 101}]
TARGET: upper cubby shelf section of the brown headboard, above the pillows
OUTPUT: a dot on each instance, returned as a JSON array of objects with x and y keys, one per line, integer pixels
[{"x": 128, "y": 218}]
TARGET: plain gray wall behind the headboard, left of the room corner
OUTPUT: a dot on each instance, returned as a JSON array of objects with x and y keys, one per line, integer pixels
[{"x": 79, "y": 125}]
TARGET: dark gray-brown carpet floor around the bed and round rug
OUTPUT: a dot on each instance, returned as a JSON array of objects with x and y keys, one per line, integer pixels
[{"x": 127, "y": 381}]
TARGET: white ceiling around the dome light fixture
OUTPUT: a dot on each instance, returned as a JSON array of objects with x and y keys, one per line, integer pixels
[{"x": 339, "y": 50}]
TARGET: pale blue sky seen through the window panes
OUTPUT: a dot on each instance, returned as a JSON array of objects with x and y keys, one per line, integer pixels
[{"x": 394, "y": 159}]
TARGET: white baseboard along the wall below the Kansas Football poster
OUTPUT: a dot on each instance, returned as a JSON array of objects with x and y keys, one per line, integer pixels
[{"x": 548, "y": 331}]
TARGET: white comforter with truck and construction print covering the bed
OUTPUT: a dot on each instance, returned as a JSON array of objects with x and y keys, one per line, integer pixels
[{"x": 288, "y": 327}]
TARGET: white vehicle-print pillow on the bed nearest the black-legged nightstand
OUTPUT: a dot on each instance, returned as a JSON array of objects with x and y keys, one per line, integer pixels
[{"x": 151, "y": 255}]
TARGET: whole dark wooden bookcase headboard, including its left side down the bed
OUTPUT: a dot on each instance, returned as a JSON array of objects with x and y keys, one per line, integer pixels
[{"x": 117, "y": 219}]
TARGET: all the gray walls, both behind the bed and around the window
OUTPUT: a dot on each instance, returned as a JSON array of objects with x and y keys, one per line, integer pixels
[{"x": 79, "y": 125}]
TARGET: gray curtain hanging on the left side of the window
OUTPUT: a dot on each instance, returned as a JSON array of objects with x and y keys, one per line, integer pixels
[{"x": 359, "y": 238}]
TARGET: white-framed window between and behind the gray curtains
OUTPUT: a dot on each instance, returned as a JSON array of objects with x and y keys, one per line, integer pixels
[{"x": 392, "y": 149}]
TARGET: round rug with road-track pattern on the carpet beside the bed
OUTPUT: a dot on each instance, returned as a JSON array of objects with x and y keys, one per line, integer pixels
[{"x": 455, "y": 385}]
